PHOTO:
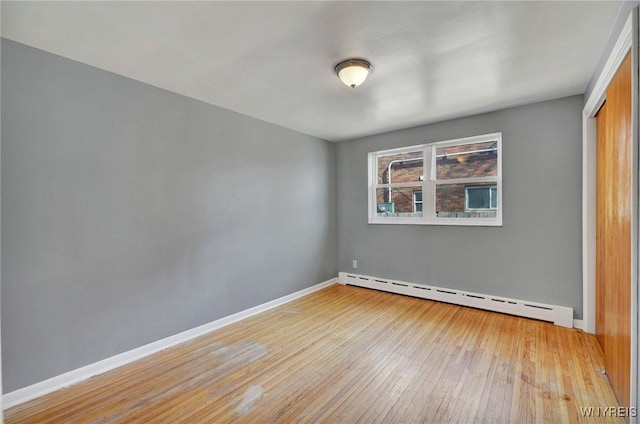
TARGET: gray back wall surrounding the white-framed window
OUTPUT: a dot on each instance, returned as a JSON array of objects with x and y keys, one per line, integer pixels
[{"x": 535, "y": 255}]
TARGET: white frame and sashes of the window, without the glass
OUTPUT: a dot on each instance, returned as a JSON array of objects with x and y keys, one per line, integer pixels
[{"x": 428, "y": 185}]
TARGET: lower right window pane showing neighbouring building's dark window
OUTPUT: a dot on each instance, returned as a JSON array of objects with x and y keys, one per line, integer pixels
[{"x": 452, "y": 200}]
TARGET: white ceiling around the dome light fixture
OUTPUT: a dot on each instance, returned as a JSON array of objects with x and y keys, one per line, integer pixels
[{"x": 274, "y": 60}]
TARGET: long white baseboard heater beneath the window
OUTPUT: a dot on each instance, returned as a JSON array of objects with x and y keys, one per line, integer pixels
[{"x": 559, "y": 315}]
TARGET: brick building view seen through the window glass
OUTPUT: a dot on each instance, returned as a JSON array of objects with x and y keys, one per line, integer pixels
[{"x": 460, "y": 199}]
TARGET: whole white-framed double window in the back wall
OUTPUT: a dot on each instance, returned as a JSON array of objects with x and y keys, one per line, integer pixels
[{"x": 455, "y": 182}]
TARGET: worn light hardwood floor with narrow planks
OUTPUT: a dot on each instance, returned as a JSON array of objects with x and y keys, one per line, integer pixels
[{"x": 346, "y": 355}]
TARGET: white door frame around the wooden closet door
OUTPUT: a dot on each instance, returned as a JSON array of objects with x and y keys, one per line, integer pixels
[{"x": 627, "y": 41}]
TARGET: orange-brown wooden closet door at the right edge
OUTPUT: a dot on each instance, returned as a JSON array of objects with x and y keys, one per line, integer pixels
[{"x": 613, "y": 231}]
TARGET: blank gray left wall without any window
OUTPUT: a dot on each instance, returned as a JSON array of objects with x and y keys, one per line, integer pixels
[{"x": 130, "y": 214}]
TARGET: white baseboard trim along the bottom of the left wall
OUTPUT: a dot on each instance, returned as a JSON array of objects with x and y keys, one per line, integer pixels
[{"x": 80, "y": 374}]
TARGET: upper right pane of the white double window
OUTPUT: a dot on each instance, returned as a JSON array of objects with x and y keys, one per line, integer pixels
[{"x": 467, "y": 161}]
